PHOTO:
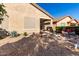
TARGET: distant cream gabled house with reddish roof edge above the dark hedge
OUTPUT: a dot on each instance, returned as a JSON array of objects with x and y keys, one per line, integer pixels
[{"x": 66, "y": 21}]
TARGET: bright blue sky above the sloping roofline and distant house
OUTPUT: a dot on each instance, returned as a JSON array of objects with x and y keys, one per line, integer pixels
[{"x": 58, "y": 10}]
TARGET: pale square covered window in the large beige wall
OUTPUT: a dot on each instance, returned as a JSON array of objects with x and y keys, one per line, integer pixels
[{"x": 29, "y": 23}]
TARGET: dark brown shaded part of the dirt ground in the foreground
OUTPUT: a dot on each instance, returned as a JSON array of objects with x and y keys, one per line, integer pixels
[{"x": 35, "y": 45}]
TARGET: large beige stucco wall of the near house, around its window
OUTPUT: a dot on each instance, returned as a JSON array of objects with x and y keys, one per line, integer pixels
[{"x": 17, "y": 12}]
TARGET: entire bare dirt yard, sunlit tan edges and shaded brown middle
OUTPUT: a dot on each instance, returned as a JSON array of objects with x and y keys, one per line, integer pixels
[{"x": 37, "y": 45}]
